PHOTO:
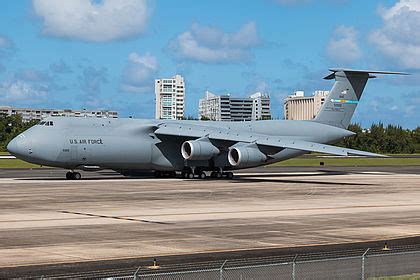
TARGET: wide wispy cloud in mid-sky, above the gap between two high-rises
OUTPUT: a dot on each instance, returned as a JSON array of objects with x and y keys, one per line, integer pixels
[{"x": 211, "y": 45}]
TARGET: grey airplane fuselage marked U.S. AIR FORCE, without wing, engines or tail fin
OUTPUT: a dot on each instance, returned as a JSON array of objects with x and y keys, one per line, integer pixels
[{"x": 124, "y": 144}]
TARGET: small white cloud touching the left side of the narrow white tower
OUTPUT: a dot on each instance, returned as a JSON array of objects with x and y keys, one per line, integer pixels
[{"x": 138, "y": 74}]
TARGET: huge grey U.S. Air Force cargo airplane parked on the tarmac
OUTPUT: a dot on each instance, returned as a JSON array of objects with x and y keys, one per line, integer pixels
[{"x": 193, "y": 148}]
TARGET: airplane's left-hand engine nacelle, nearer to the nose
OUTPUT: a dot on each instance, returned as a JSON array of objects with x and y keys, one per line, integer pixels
[{"x": 200, "y": 149}]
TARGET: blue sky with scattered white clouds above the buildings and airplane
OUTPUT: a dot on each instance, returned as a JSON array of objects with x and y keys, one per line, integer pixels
[{"x": 105, "y": 54}]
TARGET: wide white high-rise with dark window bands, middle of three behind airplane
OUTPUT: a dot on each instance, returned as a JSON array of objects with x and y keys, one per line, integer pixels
[{"x": 228, "y": 108}]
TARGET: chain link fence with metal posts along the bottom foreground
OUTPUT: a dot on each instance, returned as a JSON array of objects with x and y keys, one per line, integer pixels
[{"x": 363, "y": 267}]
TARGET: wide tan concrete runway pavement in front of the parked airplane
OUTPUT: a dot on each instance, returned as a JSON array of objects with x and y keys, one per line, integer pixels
[{"x": 48, "y": 220}]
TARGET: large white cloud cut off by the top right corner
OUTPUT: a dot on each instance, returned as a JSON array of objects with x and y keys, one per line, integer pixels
[{"x": 399, "y": 37}]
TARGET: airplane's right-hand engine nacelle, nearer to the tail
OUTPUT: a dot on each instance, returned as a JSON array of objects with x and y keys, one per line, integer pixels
[{"x": 246, "y": 156}]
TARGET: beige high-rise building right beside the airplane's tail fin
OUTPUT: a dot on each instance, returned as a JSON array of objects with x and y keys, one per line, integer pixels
[{"x": 300, "y": 107}]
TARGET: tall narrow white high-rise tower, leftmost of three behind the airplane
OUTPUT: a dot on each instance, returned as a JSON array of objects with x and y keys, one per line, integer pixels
[{"x": 170, "y": 95}]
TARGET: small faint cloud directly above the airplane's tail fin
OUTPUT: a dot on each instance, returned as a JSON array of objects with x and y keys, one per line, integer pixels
[{"x": 343, "y": 47}]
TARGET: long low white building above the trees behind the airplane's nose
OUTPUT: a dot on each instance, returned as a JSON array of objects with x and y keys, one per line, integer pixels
[{"x": 29, "y": 114}]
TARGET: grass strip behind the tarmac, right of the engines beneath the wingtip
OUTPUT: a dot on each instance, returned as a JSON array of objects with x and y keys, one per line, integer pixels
[{"x": 314, "y": 161}]
